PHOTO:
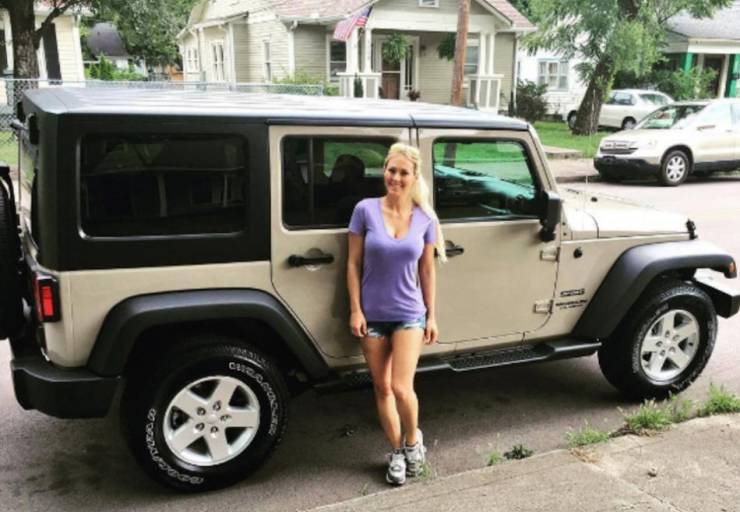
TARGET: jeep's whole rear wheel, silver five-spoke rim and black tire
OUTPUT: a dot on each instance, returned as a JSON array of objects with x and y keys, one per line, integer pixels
[{"x": 205, "y": 414}]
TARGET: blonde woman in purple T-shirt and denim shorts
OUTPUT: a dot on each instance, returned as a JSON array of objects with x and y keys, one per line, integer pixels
[{"x": 392, "y": 240}]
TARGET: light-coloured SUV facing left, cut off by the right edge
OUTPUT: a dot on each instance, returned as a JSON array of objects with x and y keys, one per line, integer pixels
[{"x": 697, "y": 137}]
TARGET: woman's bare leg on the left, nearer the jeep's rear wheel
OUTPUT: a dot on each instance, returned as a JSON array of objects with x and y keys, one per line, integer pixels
[{"x": 378, "y": 356}]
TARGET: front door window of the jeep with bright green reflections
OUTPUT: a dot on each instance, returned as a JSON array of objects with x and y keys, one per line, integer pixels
[{"x": 481, "y": 180}]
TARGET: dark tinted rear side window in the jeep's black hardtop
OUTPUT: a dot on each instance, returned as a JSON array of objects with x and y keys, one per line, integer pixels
[{"x": 162, "y": 185}]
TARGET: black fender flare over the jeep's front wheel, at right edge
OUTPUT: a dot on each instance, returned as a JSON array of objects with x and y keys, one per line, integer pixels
[{"x": 632, "y": 273}]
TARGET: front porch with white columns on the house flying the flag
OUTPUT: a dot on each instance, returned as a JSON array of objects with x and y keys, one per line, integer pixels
[{"x": 422, "y": 72}]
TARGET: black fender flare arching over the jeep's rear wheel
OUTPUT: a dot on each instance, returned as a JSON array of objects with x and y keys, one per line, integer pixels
[{"x": 129, "y": 319}]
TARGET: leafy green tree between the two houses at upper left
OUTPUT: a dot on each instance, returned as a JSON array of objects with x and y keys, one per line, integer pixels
[{"x": 147, "y": 27}]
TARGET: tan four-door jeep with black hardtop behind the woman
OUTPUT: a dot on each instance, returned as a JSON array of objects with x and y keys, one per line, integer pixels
[{"x": 189, "y": 249}]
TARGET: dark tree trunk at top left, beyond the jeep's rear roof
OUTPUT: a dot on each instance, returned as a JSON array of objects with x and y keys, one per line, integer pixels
[{"x": 25, "y": 41}]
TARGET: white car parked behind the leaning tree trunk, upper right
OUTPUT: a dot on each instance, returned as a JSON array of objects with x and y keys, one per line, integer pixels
[{"x": 626, "y": 107}]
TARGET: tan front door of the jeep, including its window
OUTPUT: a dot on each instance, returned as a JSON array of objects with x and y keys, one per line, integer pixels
[{"x": 499, "y": 285}]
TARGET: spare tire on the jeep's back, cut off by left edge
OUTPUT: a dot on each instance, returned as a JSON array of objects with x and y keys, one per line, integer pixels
[{"x": 11, "y": 304}]
